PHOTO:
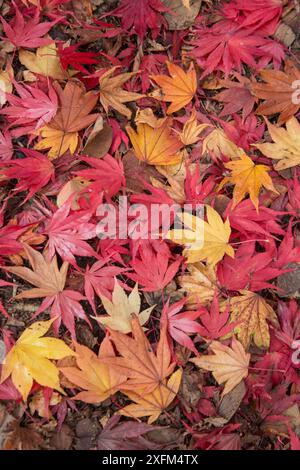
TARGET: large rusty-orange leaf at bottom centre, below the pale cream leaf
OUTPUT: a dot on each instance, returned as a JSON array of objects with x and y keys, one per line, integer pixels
[{"x": 144, "y": 369}]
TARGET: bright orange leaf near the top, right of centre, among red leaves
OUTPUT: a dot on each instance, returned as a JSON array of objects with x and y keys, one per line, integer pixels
[{"x": 179, "y": 89}]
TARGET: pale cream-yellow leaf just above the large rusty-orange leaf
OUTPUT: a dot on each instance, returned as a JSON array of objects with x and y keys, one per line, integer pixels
[{"x": 121, "y": 308}]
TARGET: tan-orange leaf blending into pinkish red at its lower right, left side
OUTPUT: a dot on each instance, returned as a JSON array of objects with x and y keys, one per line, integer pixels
[{"x": 50, "y": 282}]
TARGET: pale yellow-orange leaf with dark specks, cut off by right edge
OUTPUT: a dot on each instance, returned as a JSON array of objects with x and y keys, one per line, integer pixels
[{"x": 286, "y": 146}]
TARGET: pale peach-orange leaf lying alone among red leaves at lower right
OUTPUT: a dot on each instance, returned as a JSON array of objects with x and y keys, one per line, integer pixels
[{"x": 229, "y": 365}]
